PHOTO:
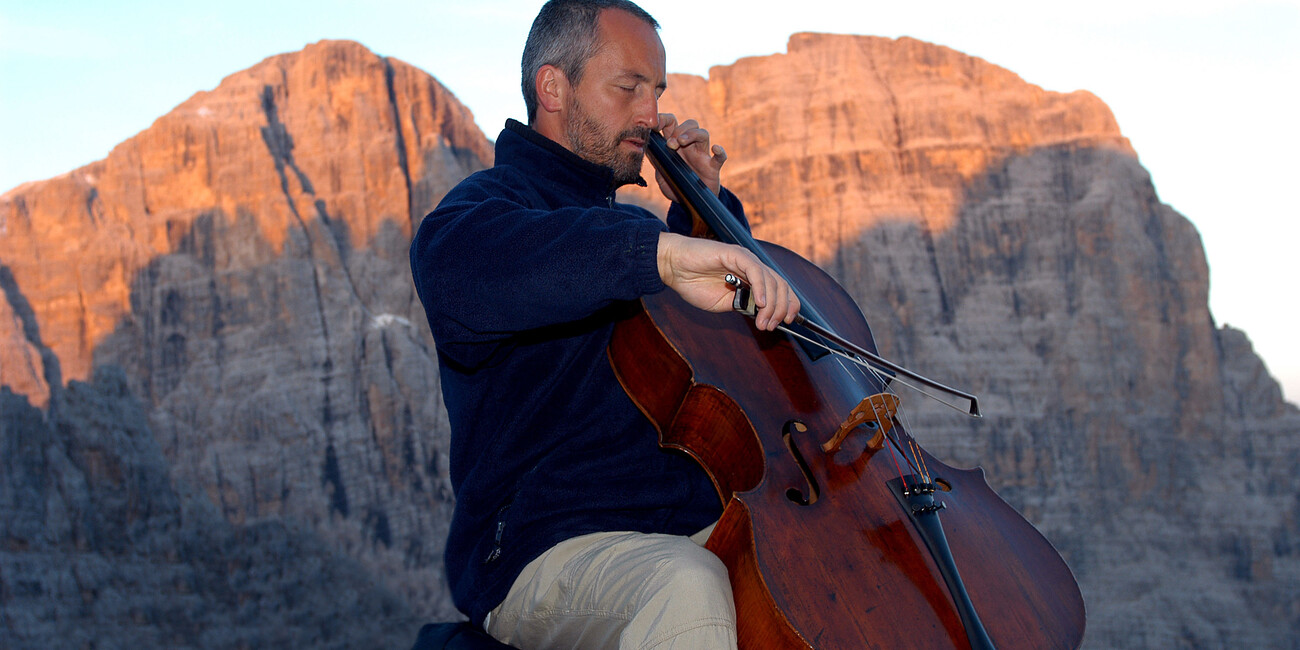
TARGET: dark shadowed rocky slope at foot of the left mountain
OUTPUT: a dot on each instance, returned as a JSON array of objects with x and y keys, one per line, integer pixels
[{"x": 102, "y": 551}]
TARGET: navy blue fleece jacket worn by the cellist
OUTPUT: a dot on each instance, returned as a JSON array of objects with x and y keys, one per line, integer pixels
[{"x": 521, "y": 270}]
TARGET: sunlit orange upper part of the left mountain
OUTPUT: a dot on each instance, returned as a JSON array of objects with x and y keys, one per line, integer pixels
[{"x": 332, "y": 135}]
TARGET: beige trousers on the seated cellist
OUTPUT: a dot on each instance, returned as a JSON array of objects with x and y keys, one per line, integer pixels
[{"x": 626, "y": 591}]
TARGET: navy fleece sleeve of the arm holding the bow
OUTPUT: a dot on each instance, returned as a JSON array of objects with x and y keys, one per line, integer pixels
[{"x": 488, "y": 266}]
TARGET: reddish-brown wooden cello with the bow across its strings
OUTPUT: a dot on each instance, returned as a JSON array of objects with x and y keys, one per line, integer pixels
[{"x": 839, "y": 531}]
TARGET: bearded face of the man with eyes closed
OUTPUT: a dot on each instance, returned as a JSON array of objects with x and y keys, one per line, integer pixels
[{"x": 610, "y": 114}]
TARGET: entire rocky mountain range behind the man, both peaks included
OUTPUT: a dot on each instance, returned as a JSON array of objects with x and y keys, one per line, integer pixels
[{"x": 235, "y": 281}]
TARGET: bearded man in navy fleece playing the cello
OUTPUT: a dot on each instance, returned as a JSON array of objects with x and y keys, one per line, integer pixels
[{"x": 573, "y": 526}]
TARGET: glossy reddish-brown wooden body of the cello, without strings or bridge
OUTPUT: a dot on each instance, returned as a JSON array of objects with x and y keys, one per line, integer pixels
[{"x": 848, "y": 571}]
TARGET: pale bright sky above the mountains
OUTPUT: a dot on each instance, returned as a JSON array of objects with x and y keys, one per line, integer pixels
[{"x": 1206, "y": 90}]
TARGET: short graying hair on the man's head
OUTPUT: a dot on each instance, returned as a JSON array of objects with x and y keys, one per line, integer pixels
[{"x": 565, "y": 36}]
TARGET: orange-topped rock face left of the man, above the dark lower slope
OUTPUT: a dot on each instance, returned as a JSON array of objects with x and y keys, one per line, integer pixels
[{"x": 245, "y": 263}]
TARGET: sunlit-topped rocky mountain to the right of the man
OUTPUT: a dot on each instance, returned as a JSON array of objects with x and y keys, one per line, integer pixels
[{"x": 1007, "y": 241}]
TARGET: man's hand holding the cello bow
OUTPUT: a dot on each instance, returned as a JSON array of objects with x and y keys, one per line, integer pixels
[{"x": 697, "y": 268}]
